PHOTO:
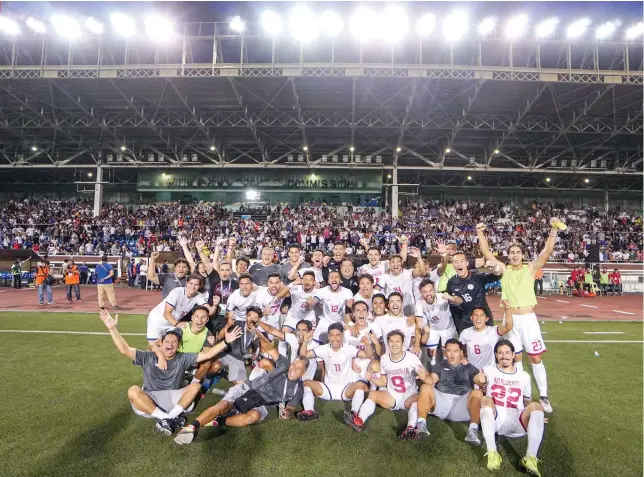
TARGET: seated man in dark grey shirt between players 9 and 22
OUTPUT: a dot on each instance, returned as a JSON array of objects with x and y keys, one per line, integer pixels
[{"x": 448, "y": 392}]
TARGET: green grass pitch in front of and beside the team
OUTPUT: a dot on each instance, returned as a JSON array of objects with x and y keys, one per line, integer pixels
[{"x": 65, "y": 413}]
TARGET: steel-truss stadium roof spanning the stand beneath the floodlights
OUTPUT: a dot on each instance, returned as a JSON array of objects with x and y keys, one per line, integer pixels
[{"x": 509, "y": 112}]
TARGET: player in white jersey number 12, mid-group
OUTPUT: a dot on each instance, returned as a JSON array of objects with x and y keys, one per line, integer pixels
[{"x": 335, "y": 301}]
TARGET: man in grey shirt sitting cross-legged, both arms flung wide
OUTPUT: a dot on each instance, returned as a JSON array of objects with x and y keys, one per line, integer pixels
[{"x": 161, "y": 396}]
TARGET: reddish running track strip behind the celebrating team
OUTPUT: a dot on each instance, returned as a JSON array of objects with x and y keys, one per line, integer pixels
[{"x": 551, "y": 307}]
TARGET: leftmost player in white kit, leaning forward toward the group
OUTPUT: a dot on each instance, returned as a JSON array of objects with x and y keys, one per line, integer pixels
[{"x": 175, "y": 306}]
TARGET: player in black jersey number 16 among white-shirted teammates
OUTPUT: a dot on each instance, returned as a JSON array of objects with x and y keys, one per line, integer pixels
[{"x": 469, "y": 287}]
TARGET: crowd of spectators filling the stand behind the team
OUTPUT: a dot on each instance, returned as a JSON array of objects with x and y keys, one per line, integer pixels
[{"x": 69, "y": 228}]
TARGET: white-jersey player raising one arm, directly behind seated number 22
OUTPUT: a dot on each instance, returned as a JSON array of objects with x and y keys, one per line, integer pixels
[{"x": 480, "y": 339}]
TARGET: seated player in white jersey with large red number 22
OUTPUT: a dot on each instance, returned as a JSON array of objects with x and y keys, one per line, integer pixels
[{"x": 508, "y": 410}]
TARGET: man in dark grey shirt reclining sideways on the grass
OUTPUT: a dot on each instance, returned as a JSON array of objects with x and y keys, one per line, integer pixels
[{"x": 246, "y": 404}]
